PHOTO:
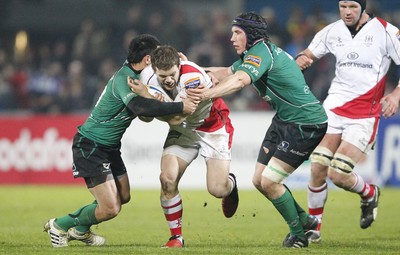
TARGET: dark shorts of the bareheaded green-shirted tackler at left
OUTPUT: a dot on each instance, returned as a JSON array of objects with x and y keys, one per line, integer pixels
[{"x": 91, "y": 159}]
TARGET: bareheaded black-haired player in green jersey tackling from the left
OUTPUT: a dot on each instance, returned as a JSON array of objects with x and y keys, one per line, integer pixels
[{"x": 96, "y": 147}]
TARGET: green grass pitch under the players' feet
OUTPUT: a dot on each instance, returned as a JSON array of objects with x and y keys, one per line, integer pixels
[{"x": 140, "y": 228}]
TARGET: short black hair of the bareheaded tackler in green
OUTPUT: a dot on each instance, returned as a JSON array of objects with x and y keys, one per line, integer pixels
[{"x": 141, "y": 46}]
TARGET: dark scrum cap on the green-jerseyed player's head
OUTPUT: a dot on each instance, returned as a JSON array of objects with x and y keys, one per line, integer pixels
[{"x": 254, "y": 26}]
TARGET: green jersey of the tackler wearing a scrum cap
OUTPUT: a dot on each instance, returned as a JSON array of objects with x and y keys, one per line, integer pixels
[{"x": 279, "y": 81}]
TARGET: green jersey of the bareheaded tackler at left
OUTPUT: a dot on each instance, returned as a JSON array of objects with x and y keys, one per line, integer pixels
[{"x": 110, "y": 117}]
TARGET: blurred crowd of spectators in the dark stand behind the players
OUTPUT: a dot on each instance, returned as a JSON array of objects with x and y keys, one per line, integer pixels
[{"x": 67, "y": 75}]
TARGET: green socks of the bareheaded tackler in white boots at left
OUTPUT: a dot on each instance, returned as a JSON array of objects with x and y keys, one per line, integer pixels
[{"x": 85, "y": 216}]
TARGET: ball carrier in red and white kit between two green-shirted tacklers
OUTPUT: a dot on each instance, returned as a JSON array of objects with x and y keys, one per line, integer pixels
[{"x": 207, "y": 131}]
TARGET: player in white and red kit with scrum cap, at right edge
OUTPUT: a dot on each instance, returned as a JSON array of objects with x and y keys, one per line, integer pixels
[{"x": 364, "y": 47}]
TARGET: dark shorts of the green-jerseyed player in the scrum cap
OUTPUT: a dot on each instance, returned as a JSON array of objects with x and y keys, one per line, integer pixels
[{"x": 290, "y": 142}]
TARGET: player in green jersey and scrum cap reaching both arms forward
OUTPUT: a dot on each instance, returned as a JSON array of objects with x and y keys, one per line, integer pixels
[{"x": 298, "y": 126}]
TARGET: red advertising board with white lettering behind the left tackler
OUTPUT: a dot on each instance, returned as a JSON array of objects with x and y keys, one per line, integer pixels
[{"x": 37, "y": 149}]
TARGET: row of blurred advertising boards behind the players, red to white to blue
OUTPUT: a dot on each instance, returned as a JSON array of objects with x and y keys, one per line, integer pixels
[{"x": 37, "y": 150}]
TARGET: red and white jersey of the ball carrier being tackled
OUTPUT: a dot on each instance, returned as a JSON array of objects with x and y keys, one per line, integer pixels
[{"x": 210, "y": 115}]
